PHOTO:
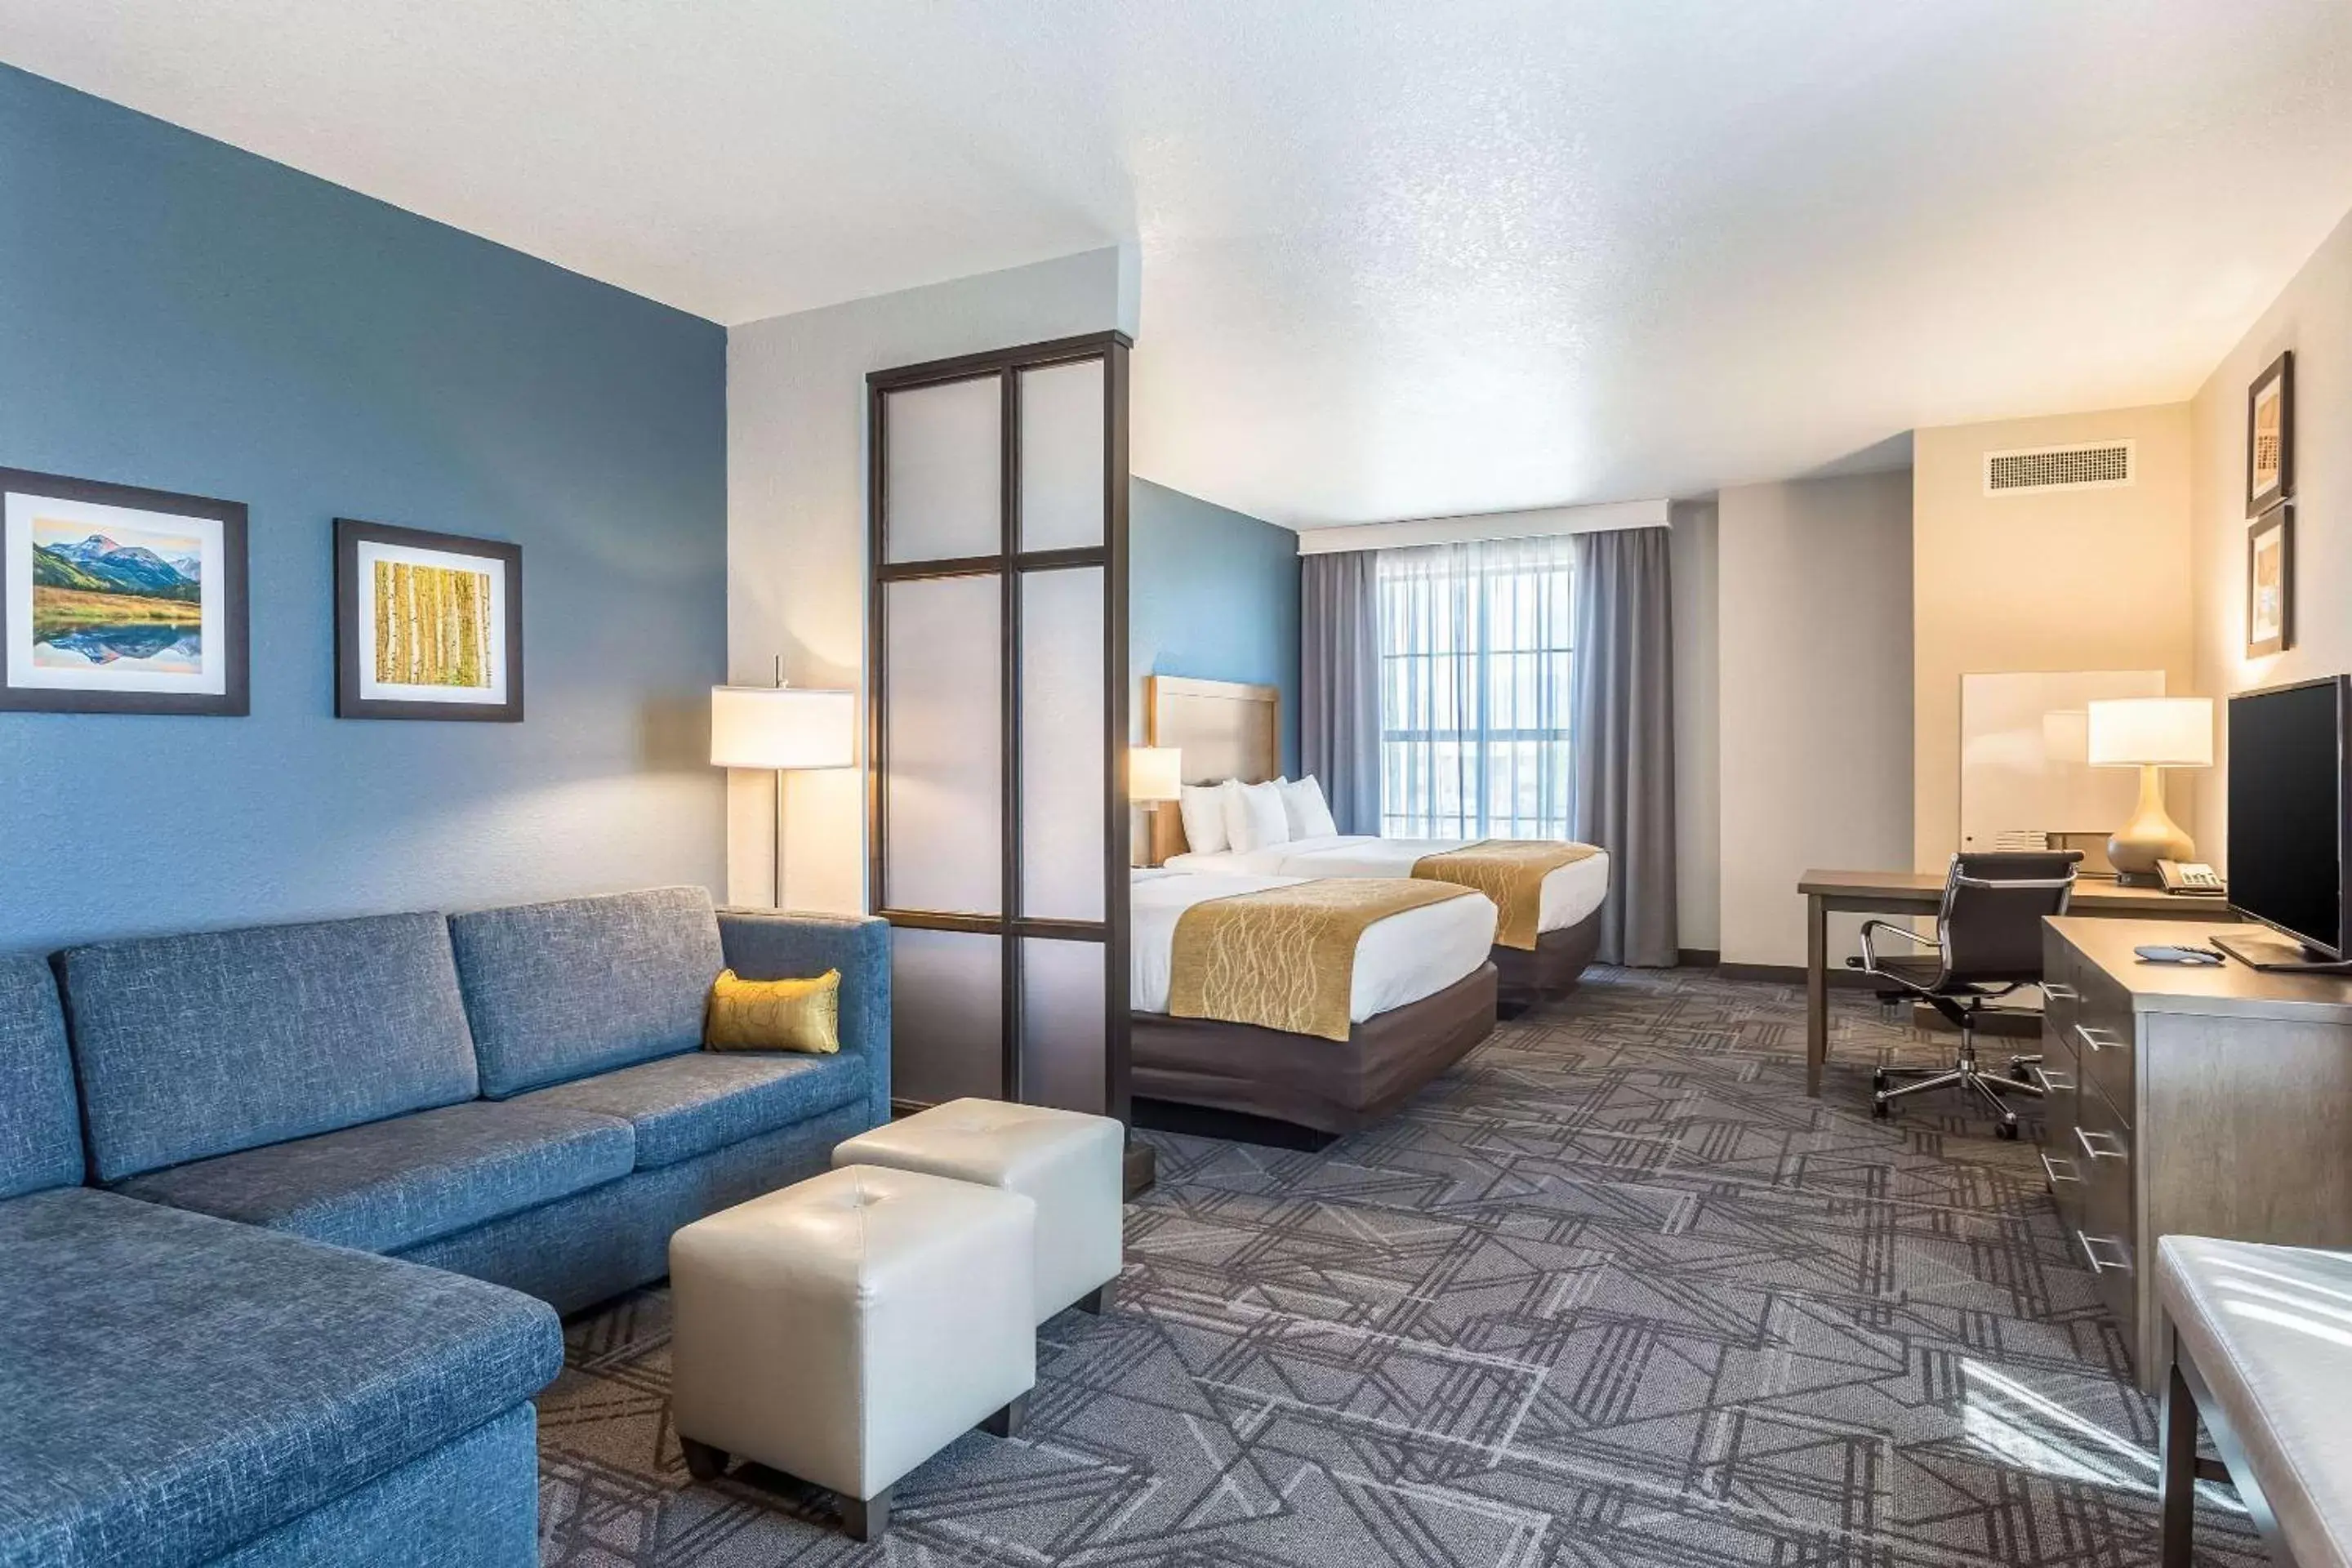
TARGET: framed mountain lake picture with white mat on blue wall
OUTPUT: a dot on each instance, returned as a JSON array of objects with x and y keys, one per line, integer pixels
[{"x": 121, "y": 601}]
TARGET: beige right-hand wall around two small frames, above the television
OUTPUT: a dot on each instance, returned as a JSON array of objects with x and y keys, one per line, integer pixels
[{"x": 2313, "y": 319}]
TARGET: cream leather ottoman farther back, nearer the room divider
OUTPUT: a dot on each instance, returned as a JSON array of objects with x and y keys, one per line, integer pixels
[{"x": 1069, "y": 1162}]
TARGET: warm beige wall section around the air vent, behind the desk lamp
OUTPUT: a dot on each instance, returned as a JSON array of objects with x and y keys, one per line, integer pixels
[{"x": 2094, "y": 579}]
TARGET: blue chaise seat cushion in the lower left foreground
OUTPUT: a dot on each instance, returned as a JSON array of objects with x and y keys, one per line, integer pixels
[{"x": 180, "y": 1386}]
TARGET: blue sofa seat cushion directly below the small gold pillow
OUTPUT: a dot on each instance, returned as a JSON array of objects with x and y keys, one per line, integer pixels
[{"x": 695, "y": 1104}]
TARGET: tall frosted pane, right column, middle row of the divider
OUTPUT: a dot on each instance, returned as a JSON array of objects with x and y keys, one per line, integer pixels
[{"x": 1062, "y": 744}]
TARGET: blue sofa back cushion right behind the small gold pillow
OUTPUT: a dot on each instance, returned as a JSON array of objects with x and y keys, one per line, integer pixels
[{"x": 559, "y": 991}]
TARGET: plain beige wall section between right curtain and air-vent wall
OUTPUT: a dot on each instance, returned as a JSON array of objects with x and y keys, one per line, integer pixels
[{"x": 1815, "y": 622}]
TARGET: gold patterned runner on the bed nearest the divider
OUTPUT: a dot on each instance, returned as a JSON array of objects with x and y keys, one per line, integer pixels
[{"x": 1285, "y": 958}]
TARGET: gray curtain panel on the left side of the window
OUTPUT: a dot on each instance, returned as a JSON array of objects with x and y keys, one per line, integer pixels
[{"x": 1339, "y": 683}]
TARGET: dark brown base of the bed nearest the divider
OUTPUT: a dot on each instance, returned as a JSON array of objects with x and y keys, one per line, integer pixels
[{"x": 1323, "y": 1085}]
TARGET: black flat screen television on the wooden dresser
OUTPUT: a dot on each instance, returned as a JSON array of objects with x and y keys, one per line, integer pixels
[{"x": 2290, "y": 822}]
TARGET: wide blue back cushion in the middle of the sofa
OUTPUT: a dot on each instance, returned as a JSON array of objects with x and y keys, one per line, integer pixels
[{"x": 229, "y": 1040}]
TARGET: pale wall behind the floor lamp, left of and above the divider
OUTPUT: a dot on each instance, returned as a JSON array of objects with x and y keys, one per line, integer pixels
[{"x": 796, "y": 518}]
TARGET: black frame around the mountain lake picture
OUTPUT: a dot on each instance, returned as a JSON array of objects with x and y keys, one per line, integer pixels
[{"x": 234, "y": 702}]
